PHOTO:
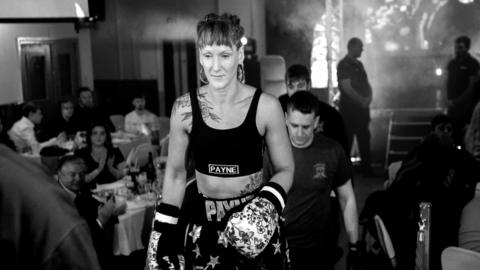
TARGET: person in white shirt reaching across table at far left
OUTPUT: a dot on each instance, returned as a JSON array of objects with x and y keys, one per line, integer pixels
[{"x": 23, "y": 135}]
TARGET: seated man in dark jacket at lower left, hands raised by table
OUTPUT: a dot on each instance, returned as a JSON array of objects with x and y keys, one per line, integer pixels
[{"x": 99, "y": 216}]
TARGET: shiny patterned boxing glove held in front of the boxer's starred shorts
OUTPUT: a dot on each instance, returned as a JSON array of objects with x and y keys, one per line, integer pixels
[{"x": 251, "y": 229}]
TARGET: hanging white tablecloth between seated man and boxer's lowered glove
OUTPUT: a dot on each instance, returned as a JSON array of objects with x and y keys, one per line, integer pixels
[{"x": 131, "y": 227}]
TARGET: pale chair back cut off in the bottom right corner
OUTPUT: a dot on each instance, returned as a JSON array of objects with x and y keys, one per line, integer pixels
[{"x": 455, "y": 258}]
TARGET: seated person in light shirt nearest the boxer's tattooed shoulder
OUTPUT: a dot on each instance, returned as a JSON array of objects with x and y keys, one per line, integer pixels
[{"x": 140, "y": 120}]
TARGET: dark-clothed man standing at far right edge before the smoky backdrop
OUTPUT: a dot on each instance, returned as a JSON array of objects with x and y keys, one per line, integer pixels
[{"x": 461, "y": 99}]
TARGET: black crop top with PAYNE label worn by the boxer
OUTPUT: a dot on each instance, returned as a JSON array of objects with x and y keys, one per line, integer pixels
[{"x": 226, "y": 152}]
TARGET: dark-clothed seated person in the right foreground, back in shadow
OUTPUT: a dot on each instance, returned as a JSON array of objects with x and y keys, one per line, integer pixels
[{"x": 434, "y": 171}]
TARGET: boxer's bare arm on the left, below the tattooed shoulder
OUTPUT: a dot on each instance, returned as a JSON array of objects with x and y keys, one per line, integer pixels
[{"x": 175, "y": 172}]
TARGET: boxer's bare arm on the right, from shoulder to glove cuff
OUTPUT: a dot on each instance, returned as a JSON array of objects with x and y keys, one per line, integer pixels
[{"x": 278, "y": 143}]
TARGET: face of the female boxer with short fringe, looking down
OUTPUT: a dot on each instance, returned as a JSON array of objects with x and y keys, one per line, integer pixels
[{"x": 220, "y": 64}]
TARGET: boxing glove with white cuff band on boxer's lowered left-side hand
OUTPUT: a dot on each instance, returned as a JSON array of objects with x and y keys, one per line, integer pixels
[{"x": 161, "y": 253}]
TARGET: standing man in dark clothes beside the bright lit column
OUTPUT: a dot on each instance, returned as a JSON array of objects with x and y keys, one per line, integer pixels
[{"x": 355, "y": 99}]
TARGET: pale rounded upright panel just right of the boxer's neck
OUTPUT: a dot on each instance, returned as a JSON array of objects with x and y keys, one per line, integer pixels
[{"x": 272, "y": 69}]
